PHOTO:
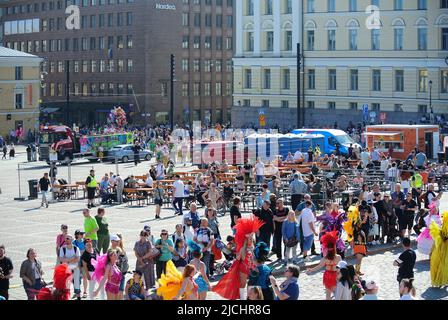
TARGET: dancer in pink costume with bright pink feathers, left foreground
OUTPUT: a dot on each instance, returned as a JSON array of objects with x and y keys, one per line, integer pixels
[{"x": 107, "y": 274}]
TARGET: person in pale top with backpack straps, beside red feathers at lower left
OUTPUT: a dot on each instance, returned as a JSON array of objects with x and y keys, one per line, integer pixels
[{"x": 70, "y": 255}]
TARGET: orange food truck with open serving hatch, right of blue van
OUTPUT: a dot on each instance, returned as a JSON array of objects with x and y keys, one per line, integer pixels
[{"x": 403, "y": 139}]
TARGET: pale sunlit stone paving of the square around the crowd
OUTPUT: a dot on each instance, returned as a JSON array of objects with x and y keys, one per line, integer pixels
[{"x": 25, "y": 224}]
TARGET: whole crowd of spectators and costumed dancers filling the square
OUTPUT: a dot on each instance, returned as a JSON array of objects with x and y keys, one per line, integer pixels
[{"x": 183, "y": 264}]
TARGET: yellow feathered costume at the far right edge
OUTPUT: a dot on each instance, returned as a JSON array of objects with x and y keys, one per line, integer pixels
[{"x": 439, "y": 255}]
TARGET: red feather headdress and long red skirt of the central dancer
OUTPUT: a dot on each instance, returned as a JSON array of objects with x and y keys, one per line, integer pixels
[{"x": 228, "y": 287}]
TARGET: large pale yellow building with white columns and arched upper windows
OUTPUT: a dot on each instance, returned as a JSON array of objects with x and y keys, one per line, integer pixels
[{"x": 388, "y": 54}]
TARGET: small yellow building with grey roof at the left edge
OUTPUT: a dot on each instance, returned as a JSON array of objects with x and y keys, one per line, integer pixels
[{"x": 19, "y": 90}]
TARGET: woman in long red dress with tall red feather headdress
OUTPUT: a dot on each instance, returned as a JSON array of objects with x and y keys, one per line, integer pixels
[{"x": 227, "y": 287}]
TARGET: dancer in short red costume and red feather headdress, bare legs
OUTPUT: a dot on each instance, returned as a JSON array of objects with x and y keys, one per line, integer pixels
[{"x": 330, "y": 262}]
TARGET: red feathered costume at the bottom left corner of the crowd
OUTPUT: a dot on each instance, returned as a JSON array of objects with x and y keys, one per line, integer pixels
[{"x": 62, "y": 278}]
